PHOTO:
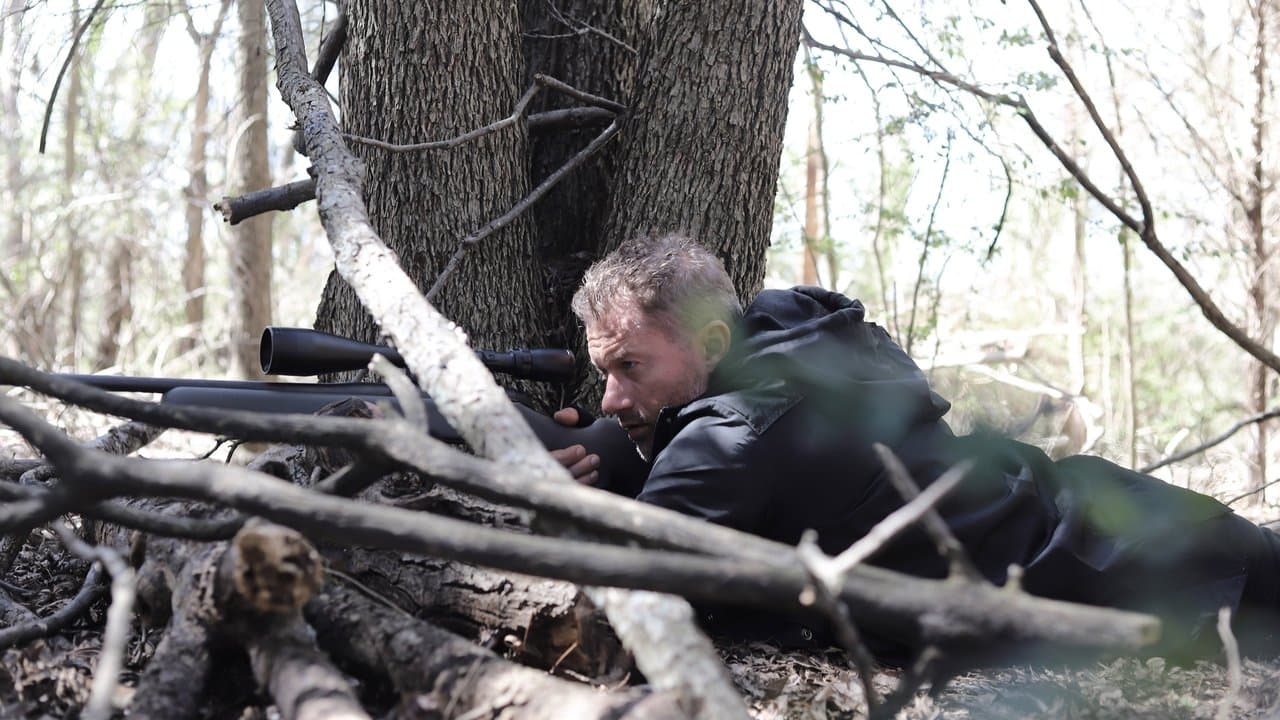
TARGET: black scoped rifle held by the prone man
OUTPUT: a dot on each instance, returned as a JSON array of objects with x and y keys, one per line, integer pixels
[{"x": 300, "y": 352}]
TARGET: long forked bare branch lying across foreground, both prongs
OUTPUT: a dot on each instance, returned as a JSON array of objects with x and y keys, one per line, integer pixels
[{"x": 748, "y": 569}]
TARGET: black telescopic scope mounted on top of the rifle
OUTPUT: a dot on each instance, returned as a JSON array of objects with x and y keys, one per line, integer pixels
[{"x": 301, "y": 352}]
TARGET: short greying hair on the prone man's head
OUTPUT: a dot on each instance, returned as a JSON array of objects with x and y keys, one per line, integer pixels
[{"x": 665, "y": 276}]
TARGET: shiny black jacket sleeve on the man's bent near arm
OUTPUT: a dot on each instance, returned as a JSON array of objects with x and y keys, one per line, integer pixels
[{"x": 707, "y": 472}]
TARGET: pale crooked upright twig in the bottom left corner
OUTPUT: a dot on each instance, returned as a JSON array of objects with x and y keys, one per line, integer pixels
[{"x": 111, "y": 659}]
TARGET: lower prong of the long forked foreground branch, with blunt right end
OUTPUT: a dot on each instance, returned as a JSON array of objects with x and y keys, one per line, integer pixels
[{"x": 935, "y": 612}]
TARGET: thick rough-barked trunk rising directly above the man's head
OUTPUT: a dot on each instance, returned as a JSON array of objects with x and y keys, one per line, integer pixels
[{"x": 701, "y": 151}]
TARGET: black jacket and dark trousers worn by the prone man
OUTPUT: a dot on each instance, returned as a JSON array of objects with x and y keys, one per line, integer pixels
[{"x": 783, "y": 443}]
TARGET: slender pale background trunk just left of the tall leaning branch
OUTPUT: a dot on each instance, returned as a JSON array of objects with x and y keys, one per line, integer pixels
[{"x": 252, "y": 240}]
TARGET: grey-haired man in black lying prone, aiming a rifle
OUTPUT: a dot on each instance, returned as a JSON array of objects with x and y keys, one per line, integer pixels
[{"x": 766, "y": 421}]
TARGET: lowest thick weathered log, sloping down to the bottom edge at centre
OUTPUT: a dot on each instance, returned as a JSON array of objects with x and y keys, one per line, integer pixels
[{"x": 437, "y": 673}]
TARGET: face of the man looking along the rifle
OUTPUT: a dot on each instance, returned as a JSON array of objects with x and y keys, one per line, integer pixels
[{"x": 647, "y": 367}]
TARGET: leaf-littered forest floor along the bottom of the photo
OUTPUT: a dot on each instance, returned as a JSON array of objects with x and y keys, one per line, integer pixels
[{"x": 52, "y": 678}]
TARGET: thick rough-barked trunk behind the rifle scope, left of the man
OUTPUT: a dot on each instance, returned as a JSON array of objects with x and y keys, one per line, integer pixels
[{"x": 423, "y": 204}]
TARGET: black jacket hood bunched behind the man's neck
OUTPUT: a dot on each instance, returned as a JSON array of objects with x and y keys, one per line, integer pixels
[{"x": 820, "y": 343}]
